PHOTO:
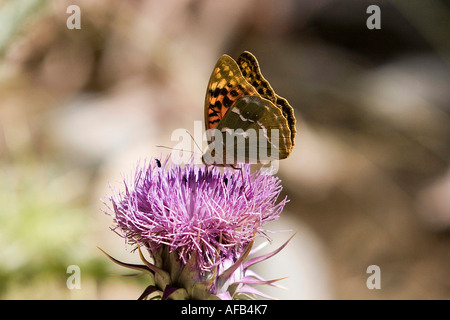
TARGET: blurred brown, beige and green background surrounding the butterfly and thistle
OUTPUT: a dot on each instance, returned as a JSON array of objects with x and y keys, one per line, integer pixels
[{"x": 368, "y": 180}]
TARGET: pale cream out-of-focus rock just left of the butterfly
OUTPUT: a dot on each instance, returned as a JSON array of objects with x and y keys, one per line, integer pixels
[{"x": 94, "y": 128}]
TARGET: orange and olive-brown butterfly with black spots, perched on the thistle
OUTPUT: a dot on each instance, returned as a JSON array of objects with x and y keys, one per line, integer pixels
[{"x": 246, "y": 121}]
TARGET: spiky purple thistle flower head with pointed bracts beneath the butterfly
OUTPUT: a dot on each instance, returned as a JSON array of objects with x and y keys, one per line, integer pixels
[{"x": 198, "y": 225}]
